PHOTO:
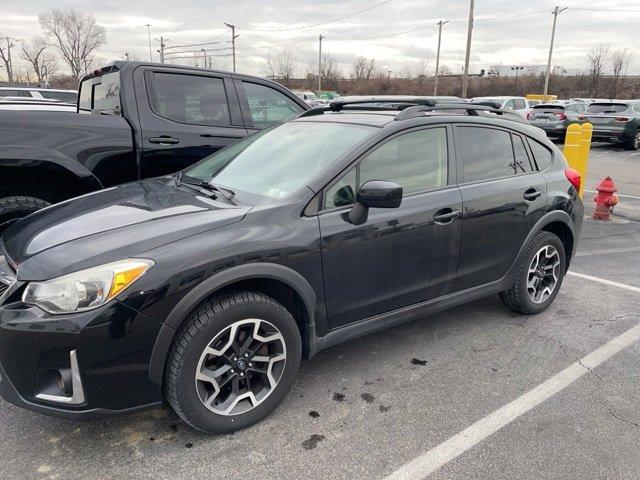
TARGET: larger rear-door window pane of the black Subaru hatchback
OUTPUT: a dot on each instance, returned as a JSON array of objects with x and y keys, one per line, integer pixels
[{"x": 486, "y": 153}]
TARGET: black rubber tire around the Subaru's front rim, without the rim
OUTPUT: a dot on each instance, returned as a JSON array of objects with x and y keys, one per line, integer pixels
[{"x": 205, "y": 324}]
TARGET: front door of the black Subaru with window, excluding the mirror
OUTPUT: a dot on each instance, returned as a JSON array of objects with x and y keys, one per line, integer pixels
[{"x": 401, "y": 256}]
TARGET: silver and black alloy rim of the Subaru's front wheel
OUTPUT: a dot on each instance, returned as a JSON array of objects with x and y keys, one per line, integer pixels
[{"x": 241, "y": 367}]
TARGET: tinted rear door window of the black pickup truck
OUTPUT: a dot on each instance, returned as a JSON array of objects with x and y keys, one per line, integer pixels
[{"x": 191, "y": 99}]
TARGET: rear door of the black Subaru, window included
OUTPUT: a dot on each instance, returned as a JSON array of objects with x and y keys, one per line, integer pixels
[{"x": 503, "y": 196}]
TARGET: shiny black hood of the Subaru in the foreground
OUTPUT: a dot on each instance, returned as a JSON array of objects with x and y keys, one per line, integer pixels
[{"x": 110, "y": 225}]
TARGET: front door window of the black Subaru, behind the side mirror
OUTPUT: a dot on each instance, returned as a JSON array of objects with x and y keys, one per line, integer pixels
[{"x": 416, "y": 160}]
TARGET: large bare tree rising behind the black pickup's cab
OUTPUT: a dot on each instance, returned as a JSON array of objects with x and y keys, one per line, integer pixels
[{"x": 76, "y": 35}]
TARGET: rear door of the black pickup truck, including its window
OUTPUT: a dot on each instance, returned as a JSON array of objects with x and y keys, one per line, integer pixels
[{"x": 185, "y": 115}]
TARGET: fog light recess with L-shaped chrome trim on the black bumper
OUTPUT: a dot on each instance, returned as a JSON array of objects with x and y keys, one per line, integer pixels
[{"x": 61, "y": 385}]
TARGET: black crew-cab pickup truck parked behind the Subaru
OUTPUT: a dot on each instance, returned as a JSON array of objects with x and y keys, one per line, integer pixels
[{"x": 134, "y": 120}]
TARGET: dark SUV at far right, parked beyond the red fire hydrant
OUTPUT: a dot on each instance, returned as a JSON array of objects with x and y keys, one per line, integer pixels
[{"x": 615, "y": 121}]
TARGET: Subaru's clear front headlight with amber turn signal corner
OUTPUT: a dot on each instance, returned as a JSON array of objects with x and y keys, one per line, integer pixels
[{"x": 86, "y": 289}]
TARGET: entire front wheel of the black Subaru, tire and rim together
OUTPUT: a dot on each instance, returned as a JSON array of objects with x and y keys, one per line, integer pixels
[{"x": 232, "y": 362}]
